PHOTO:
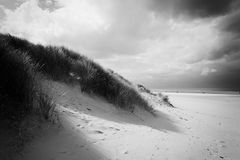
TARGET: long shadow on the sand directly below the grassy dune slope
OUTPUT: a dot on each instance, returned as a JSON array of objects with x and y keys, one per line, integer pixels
[{"x": 72, "y": 97}]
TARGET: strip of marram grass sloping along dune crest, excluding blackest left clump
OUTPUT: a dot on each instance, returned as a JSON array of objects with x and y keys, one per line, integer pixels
[{"x": 61, "y": 64}]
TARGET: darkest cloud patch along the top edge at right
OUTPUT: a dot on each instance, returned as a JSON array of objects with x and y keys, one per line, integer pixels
[{"x": 194, "y": 8}]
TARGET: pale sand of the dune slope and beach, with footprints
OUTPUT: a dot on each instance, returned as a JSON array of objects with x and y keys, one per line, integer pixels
[{"x": 199, "y": 128}]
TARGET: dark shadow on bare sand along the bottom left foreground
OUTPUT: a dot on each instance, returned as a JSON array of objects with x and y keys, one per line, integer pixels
[{"x": 57, "y": 143}]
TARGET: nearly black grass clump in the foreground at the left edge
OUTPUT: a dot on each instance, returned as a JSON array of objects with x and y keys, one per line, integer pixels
[{"x": 20, "y": 92}]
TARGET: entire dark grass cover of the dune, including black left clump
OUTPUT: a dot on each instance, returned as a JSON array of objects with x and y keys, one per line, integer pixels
[{"x": 21, "y": 62}]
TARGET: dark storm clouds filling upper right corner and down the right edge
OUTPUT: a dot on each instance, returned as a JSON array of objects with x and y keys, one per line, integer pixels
[{"x": 229, "y": 26}]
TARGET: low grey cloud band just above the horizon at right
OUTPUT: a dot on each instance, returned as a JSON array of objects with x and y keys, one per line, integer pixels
[{"x": 226, "y": 77}]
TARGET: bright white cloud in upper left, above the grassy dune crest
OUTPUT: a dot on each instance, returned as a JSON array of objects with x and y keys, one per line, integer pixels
[{"x": 58, "y": 27}]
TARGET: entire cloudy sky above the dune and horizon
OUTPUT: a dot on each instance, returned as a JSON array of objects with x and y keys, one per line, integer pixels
[{"x": 158, "y": 43}]
